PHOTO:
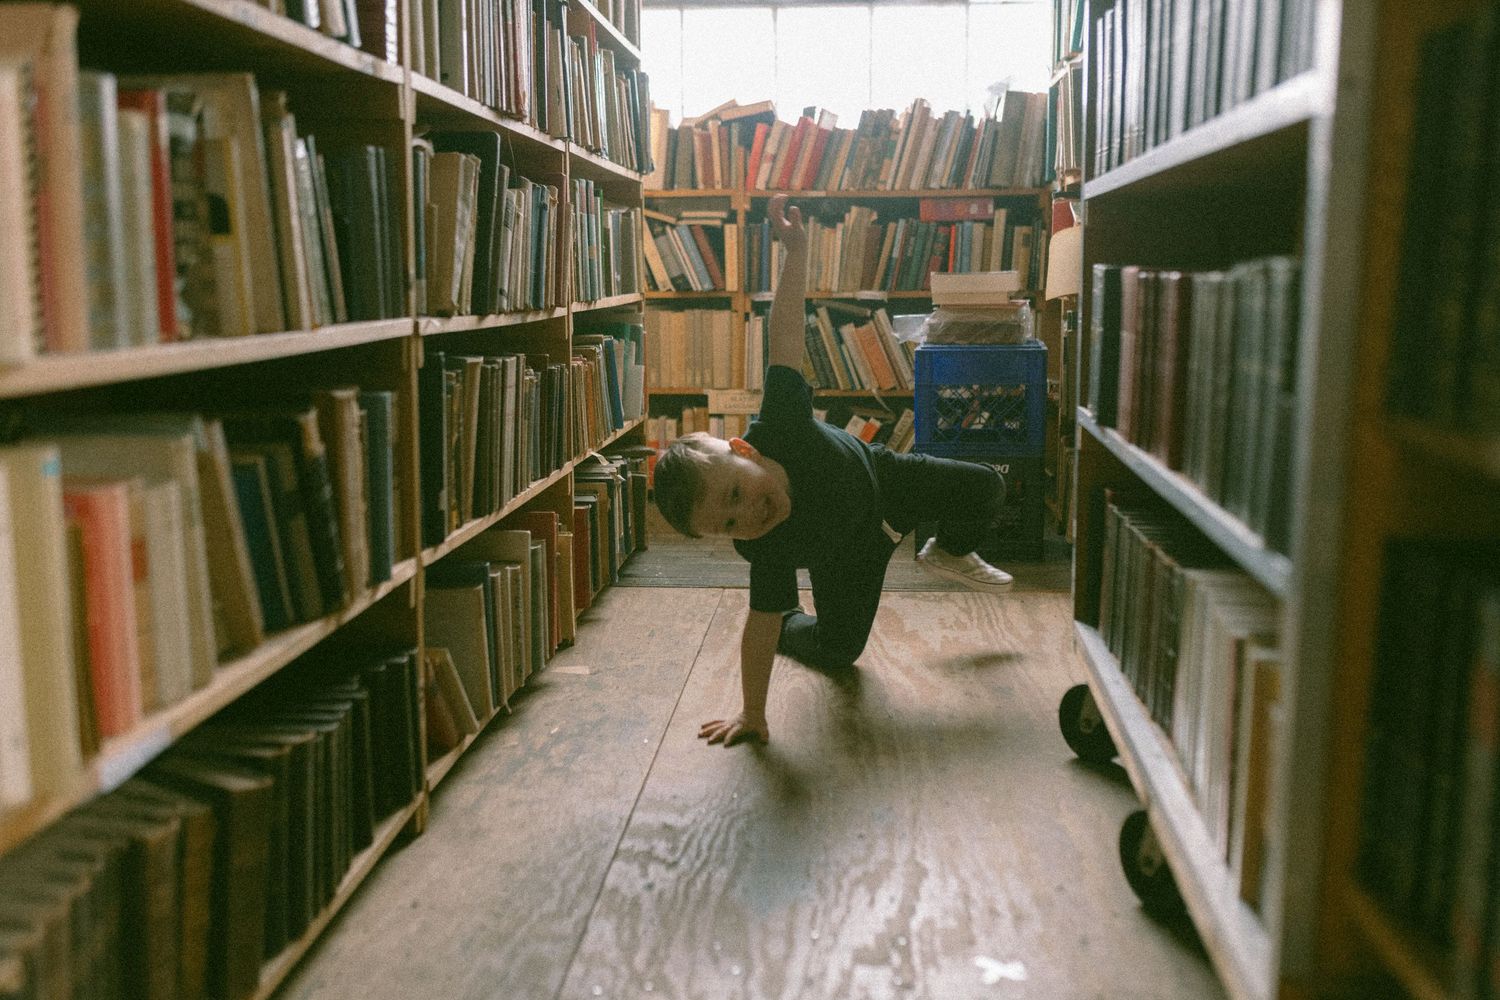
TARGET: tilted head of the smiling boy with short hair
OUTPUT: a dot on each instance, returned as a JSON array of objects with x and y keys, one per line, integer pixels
[{"x": 709, "y": 487}]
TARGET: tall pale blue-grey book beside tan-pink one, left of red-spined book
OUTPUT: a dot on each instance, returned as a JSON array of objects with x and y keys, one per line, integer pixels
[{"x": 104, "y": 226}]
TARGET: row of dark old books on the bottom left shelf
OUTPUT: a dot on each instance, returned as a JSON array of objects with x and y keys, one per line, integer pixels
[{"x": 193, "y": 875}]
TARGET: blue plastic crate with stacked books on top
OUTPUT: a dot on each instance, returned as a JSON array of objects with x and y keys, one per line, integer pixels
[{"x": 982, "y": 400}]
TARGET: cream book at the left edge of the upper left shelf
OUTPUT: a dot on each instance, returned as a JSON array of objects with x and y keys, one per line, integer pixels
[{"x": 20, "y": 283}]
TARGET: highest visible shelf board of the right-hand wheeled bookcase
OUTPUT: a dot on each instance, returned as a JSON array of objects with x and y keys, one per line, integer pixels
[{"x": 1241, "y": 136}]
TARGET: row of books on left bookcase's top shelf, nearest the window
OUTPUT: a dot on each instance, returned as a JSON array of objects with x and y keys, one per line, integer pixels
[{"x": 541, "y": 64}]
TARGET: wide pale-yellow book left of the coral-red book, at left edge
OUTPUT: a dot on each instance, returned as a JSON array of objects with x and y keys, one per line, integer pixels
[{"x": 44, "y": 605}]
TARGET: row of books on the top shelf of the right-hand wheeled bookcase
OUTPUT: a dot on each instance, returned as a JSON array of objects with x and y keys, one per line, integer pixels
[{"x": 1165, "y": 67}]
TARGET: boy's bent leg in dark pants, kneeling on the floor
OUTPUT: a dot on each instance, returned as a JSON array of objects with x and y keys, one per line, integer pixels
[{"x": 845, "y": 600}]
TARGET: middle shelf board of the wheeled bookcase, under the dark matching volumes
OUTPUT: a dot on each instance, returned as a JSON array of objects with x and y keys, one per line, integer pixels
[{"x": 1244, "y": 546}]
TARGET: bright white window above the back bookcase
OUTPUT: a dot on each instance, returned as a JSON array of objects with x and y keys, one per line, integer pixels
[{"x": 845, "y": 58}]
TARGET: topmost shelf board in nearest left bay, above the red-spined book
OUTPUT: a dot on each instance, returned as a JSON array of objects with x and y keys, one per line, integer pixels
[{"x": 251, "y": 28}]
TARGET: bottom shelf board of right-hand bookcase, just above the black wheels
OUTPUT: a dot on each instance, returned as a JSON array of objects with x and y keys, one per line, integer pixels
[{"x": 1234, "y": 936}]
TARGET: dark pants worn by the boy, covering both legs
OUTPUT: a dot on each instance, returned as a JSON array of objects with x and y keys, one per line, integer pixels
[{"x": 962, "y": 497}]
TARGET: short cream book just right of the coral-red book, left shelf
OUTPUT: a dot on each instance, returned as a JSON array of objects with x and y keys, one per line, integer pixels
[{"x": 167, "y": 554}]
